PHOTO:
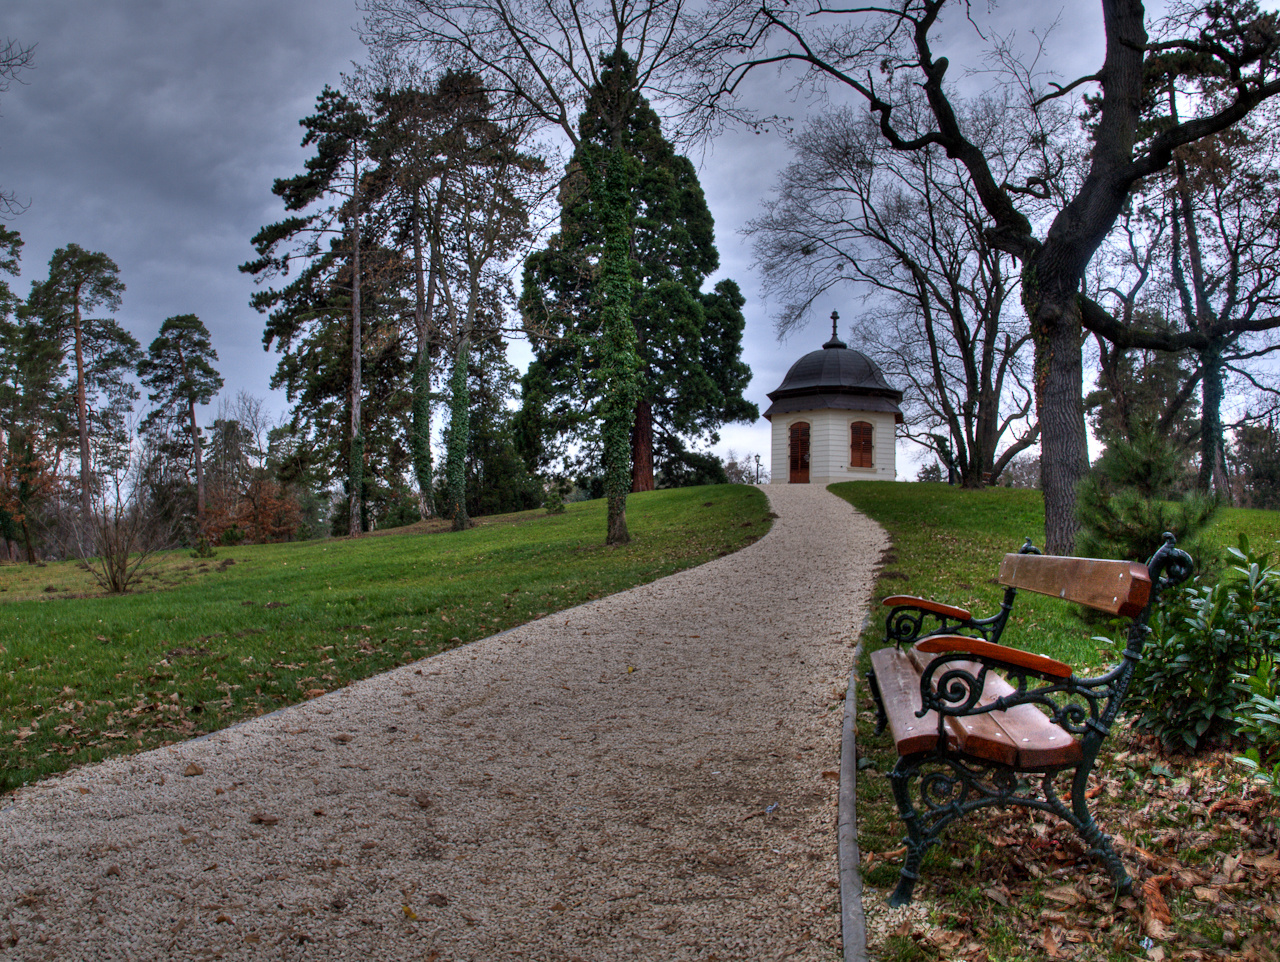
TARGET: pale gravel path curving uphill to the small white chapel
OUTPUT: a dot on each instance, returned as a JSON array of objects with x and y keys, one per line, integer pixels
[{"x": 652, "y": 776}]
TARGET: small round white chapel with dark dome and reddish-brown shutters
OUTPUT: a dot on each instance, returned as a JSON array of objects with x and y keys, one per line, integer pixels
[{"x": 834, "y": 419}]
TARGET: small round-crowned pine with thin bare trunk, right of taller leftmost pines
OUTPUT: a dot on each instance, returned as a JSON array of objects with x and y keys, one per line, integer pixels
[{"x": 180, "y": 370}]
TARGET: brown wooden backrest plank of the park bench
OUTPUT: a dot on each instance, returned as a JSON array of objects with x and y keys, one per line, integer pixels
[{"x": 1118, "y": 588}]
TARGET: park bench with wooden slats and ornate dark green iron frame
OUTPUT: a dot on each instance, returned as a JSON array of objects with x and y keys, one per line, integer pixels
[{"x": 979, "y": 723}]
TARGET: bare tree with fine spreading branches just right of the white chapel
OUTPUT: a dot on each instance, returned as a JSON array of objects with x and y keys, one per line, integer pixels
[{"x": 944, "y": 318}]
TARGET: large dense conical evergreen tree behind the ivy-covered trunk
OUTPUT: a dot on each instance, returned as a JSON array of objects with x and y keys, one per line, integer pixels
[{"x": 688, "y": 343}]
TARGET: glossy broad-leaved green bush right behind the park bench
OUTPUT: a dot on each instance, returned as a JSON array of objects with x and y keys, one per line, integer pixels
[{"x": 1187, "y": 689}]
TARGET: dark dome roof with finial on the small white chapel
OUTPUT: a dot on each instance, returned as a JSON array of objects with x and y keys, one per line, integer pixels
[{"x": 835, "y": 378}]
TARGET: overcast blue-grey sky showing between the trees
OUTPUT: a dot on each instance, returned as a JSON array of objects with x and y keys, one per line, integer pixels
[{"x": 153, "y": 131}]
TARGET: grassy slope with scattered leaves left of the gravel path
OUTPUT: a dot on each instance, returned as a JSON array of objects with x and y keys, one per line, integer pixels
[{"x": 259, "y": 627}]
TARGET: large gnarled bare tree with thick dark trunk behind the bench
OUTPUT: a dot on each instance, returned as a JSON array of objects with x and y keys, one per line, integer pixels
[{"x": 857, "y": 48}]
